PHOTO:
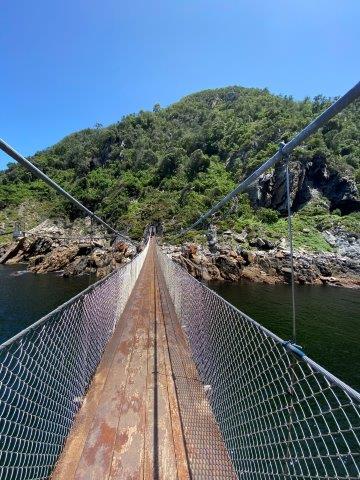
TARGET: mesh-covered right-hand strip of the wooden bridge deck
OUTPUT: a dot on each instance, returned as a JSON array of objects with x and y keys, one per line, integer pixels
[{"x": 206, "y": 453}]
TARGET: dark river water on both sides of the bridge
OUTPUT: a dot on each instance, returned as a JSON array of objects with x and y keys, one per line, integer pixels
[{"x": 328, "y": 319}]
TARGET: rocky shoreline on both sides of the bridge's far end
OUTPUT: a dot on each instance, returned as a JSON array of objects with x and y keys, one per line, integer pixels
[{"x": 73, "y": 250}]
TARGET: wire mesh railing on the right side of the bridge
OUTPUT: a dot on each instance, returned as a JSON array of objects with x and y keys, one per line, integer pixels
[{"x": 281, "y": 415}]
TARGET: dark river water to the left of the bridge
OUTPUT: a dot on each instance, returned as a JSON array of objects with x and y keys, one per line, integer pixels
[{"x": 25, "y": 297}]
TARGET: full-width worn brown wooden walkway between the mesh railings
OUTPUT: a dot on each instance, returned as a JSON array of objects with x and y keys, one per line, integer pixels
[{"x": 146, "y": 415}]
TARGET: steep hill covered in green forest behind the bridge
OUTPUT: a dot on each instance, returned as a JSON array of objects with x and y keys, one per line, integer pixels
[{"x": 173, "y": 163}]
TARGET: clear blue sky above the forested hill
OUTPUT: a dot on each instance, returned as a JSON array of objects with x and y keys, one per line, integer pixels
[{"x": 68, "y": 64}]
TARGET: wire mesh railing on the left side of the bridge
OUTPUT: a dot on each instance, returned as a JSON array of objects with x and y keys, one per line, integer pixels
[{"x": 45, "y": 371}]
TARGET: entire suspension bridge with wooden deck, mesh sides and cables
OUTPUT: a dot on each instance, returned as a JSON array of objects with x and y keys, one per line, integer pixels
[{"x": 148, "y": 374}]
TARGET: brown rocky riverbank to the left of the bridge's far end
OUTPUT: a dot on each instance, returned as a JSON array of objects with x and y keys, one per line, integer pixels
[{"x": 71, "y": 250}]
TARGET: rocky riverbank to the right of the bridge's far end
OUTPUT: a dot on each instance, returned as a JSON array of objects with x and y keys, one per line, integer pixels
[{"x": 231, "y": 259}]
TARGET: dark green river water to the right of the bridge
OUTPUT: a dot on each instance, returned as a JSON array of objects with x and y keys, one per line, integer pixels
[{"x": 328, "y": 320}]
